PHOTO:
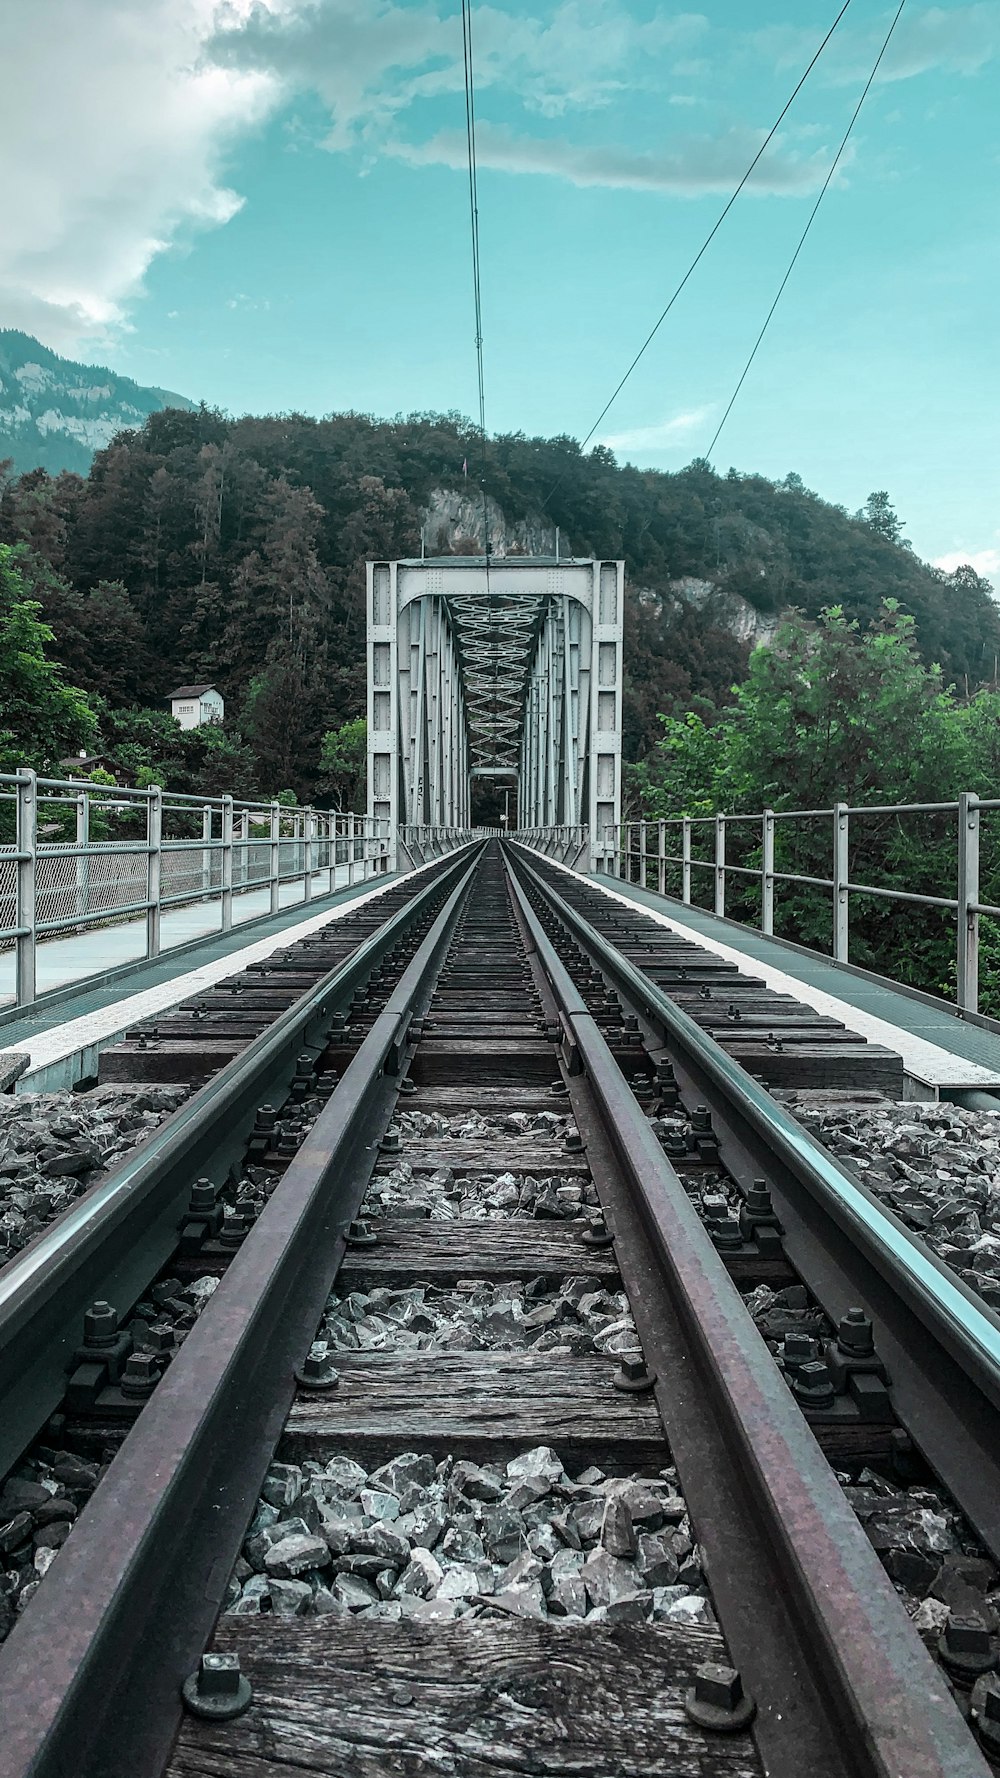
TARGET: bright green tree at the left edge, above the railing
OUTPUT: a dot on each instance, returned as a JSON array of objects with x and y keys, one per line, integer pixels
[{"x": 42, "y": 717}]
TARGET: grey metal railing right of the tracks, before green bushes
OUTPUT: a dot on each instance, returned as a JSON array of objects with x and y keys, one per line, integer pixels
[{"x": 643, "y": 854}]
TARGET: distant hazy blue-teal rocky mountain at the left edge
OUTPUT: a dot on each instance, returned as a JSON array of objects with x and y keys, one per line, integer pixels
[{"x": 54, "y": 413}]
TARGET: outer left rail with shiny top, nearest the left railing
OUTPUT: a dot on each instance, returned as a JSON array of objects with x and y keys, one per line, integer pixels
[{"x": 115, "y": 1240}]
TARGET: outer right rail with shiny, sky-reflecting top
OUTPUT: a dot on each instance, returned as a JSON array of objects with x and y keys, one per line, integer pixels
[{"x": 937, "y": 1336}]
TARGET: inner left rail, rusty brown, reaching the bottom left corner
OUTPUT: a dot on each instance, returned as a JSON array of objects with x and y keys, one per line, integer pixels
[{"x": 90, "y": 1678}]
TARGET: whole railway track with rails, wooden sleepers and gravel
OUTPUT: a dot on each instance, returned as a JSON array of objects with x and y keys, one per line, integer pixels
[{"x": 474, "y": 1459}]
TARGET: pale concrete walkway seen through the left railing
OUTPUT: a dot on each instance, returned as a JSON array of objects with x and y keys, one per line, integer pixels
[{"x": 106, "y": 949}]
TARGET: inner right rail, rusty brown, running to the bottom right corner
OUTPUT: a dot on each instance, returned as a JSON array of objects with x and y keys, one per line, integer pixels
[{"x": 882, "y": 1701}]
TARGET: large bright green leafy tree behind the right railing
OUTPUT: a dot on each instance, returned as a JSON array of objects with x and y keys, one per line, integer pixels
[{"x": 839, "y": 714}]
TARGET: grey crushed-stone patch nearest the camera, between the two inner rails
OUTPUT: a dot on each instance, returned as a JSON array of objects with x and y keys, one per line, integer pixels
[{"x": 415, "y": 1539}]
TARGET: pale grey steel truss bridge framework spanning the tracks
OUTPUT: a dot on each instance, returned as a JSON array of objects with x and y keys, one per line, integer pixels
[{"x": 497, "y": 669}]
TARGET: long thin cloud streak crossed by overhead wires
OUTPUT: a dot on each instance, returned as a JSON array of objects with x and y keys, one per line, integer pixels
[{"x": 690, "y": 168}]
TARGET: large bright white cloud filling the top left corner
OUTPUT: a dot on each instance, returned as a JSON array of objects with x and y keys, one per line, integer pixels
[{"x": 113, "y": 140}]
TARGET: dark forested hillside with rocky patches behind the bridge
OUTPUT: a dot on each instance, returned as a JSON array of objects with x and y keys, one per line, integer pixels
[{"x": 234, "y": 552}]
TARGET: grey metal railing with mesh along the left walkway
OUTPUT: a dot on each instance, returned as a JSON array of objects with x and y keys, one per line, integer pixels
[{"x": 77, "y": 856}]
